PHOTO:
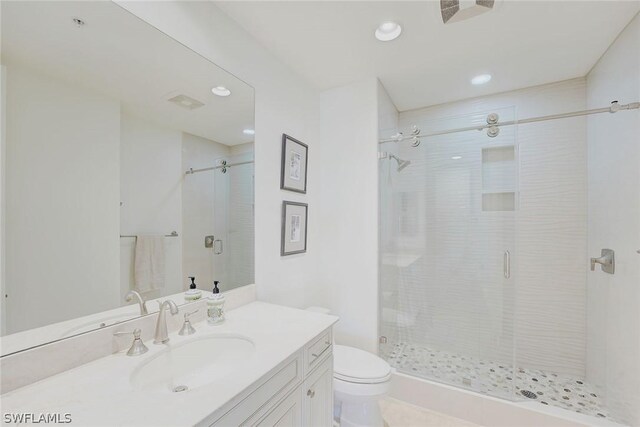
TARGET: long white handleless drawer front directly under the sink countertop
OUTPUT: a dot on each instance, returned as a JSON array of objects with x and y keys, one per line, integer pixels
[{"x": 257, "y": 403}]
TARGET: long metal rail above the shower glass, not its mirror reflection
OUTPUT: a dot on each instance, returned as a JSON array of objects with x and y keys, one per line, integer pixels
[{"x": 613, "y": 108}]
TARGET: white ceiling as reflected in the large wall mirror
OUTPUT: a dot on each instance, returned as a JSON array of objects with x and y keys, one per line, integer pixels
[{"x": 120, "y": 56}]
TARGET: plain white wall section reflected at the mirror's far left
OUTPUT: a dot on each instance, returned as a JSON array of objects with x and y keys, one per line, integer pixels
[{"x": 64, "y": 142}]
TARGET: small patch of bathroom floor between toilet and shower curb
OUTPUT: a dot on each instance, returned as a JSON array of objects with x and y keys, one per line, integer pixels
[{"x": 401, "y": 414}]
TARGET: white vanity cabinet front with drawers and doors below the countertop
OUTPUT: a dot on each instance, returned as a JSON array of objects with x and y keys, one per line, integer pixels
[{"x": 299, "y": 392}]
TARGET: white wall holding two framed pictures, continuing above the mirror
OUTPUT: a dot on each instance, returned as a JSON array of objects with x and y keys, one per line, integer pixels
[{"x": 284, "y": 104}]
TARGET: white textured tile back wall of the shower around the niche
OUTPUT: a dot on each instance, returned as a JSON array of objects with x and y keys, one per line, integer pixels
[{"x": 442, "y": 280}]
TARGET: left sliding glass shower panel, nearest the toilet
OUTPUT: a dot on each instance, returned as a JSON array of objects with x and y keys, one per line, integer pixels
[{"x": 447, "y": 252}]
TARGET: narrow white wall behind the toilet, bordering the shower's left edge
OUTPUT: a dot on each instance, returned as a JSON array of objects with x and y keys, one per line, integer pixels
[{"x": 349, "y": 123}]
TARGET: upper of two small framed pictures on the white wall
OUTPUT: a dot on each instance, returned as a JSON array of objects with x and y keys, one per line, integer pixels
[{"x": 294, "y": 165}]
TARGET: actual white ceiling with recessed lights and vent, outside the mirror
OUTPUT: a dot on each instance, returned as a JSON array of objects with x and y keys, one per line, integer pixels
[{"x": 521, "y": 43}]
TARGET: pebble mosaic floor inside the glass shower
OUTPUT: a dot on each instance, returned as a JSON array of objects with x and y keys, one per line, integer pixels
[{"x": 497, "y": 379}]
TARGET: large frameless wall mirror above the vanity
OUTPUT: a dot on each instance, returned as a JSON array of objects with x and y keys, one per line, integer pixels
[{"x": 127, "y": 166}]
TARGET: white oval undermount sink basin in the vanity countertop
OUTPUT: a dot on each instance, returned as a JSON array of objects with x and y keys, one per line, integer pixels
[{"x": 194, "y": 363}]
